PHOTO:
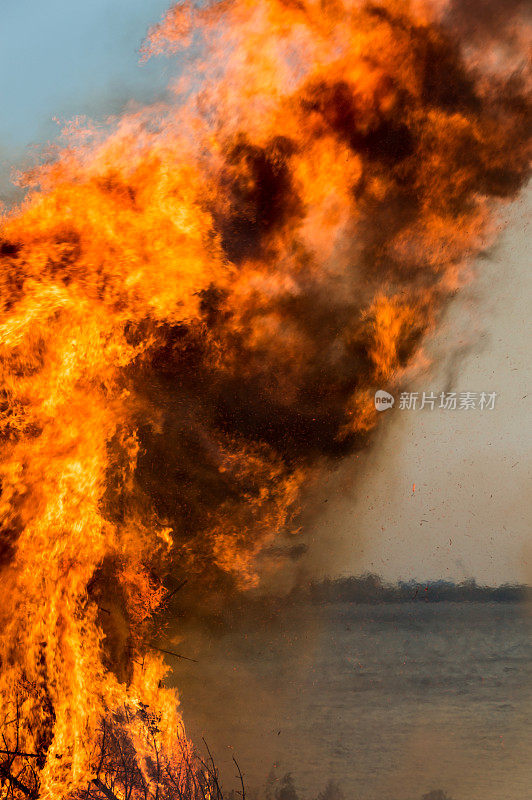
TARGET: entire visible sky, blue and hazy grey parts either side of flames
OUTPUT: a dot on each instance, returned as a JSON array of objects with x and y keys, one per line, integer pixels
[{"x": 468, "y": 515}]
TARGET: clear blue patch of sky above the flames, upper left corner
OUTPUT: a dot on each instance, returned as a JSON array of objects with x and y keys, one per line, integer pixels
[{"x": 62, "y": 59}]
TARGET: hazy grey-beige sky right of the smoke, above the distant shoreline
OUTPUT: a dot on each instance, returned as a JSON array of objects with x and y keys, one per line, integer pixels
[{"x": 470, "y": 513}]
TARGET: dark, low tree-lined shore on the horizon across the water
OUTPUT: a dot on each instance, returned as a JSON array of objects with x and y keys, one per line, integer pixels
[{"x": 371, "y": 589}]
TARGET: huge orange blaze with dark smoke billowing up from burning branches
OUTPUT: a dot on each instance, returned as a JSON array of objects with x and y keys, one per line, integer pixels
[{"x": 198, "y": 302}]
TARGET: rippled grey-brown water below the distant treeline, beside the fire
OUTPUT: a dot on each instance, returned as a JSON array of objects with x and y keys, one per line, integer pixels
[{"x": 390, "y": 701}]
